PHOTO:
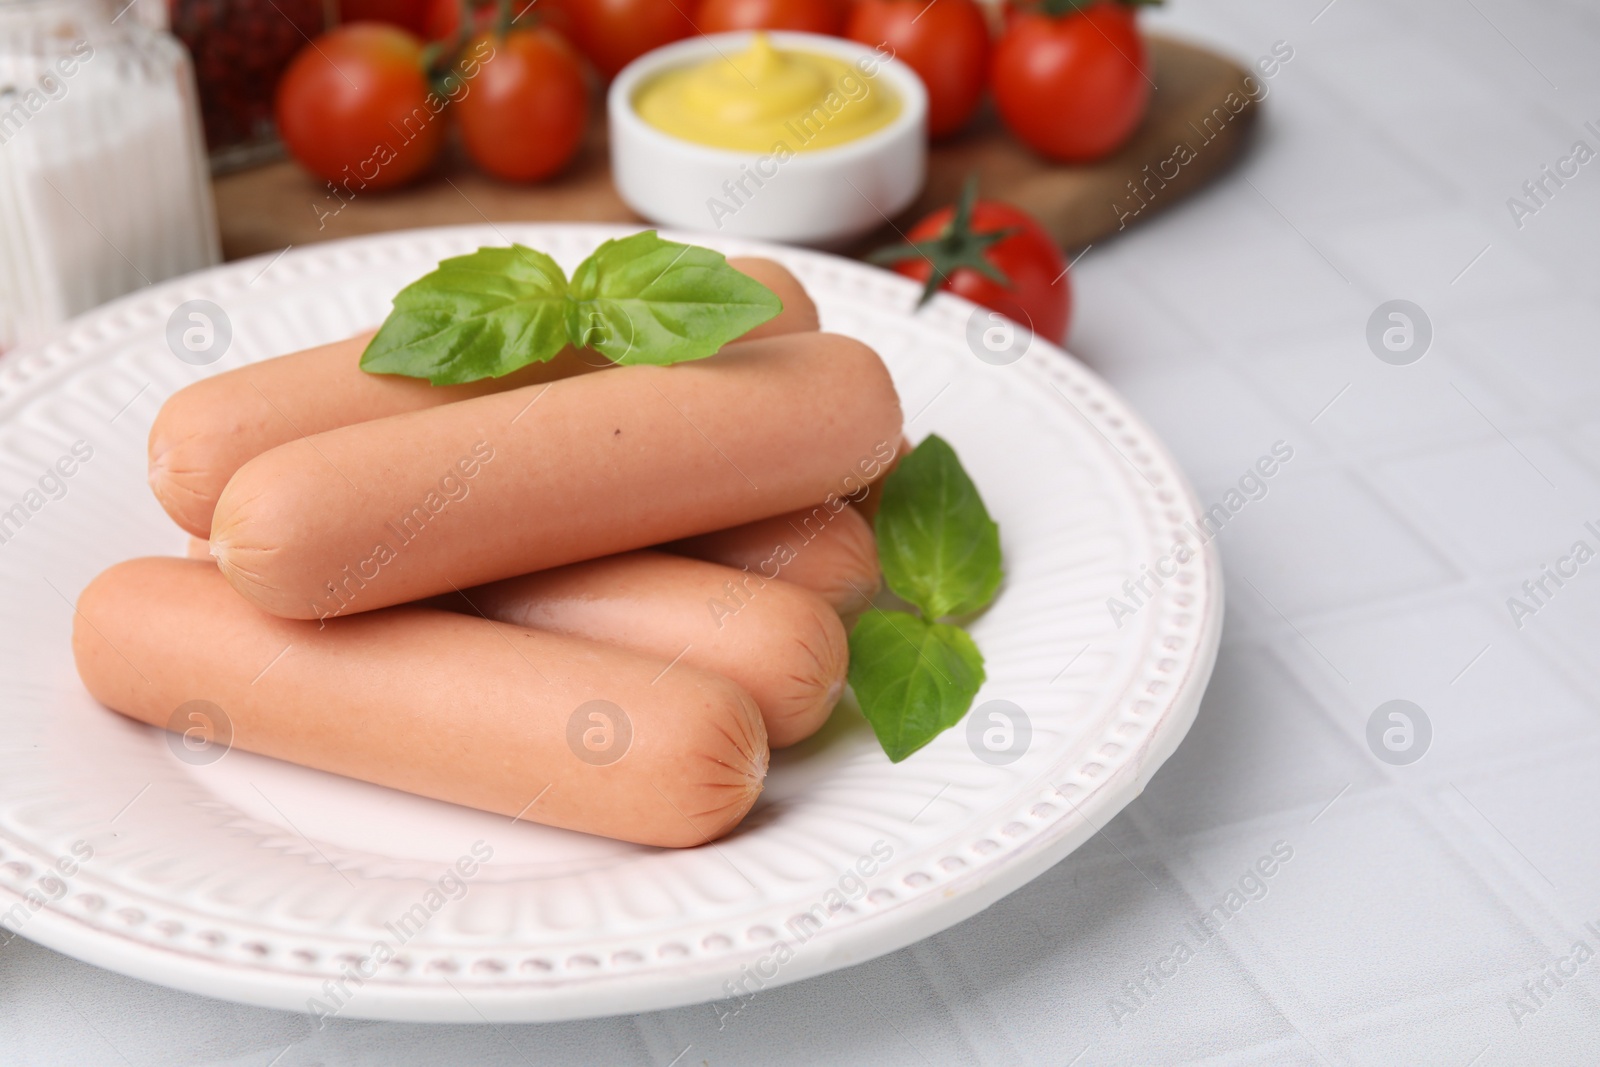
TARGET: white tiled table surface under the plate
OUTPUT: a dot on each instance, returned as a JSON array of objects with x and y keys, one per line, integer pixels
[{"x": 1418, "y": 898}]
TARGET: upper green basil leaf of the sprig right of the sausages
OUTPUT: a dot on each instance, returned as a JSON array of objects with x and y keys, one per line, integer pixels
[{"x": 937, "y": 541}]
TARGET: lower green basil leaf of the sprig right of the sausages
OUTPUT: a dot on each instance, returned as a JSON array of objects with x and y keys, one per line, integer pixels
[{"x": 913, "y": 679}]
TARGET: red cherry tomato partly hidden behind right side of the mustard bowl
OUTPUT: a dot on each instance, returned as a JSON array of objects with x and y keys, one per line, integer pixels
[{"x": 946, "y": 42}]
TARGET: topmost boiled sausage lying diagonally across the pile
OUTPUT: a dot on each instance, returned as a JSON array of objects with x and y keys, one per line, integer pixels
[{"x": 434, "y": 502}]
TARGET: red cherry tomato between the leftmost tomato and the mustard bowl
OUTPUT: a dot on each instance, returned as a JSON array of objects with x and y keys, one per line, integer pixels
[{"x": 526, "y": 111}]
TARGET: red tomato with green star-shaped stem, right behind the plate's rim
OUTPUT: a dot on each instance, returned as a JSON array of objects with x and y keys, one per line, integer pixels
[{"x": 961, "y": 241}]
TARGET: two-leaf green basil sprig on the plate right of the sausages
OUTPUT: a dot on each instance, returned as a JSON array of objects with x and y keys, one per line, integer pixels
[{"x": 916, "y": 676}]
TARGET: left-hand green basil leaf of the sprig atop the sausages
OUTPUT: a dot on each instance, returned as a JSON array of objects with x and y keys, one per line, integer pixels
[{"x": 478, "y": 316}]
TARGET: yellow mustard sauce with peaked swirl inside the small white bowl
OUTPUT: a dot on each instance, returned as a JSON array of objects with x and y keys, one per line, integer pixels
[{"x": 769, "y": 100}]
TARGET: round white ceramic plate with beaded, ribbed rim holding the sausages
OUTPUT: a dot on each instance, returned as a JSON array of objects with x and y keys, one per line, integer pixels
[{"x": 270, "y": 884}]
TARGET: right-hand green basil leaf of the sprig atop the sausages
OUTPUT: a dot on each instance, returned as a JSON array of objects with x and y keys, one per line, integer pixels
[{"x": 644, "y": 300}]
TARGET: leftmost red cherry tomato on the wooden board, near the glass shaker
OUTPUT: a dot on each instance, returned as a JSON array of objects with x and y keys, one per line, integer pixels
[{"x": 356, "y": 108}]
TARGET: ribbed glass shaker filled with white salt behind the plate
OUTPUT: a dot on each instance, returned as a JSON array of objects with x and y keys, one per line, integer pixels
[{"x": 103, "y": 178}]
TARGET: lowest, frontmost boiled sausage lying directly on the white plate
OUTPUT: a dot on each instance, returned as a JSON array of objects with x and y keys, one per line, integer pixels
[{"x": 524, "y": 724}]
